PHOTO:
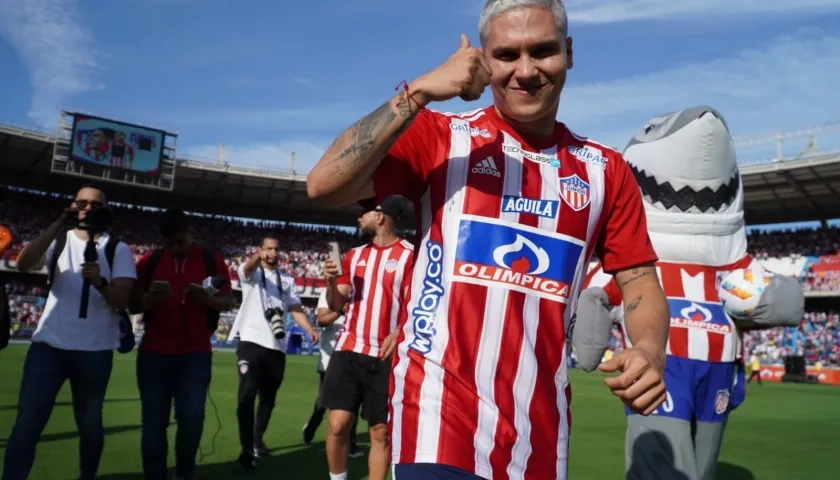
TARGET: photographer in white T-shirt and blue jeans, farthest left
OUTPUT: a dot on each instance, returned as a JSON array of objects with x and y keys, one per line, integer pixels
[{"x": 76, "y": 336}]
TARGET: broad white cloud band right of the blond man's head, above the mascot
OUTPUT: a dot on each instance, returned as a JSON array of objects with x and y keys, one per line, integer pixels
[{"x": 789, "y": 82}]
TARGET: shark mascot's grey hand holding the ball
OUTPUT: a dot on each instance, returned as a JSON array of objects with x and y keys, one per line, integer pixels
[{"x": 781, "y": 305}]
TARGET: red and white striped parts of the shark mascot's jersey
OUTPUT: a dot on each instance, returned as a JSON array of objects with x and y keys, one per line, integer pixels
[{"x": 695, "y": 283}]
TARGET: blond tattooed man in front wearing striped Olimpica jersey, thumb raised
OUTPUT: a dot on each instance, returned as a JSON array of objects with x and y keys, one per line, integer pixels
[{"x": 510, "y": 207}]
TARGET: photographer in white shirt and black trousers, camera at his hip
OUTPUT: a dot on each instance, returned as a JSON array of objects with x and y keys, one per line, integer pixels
[{"x": 267, "y": 295}]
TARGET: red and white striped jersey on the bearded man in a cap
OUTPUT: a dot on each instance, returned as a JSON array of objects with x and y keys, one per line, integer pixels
[{"x": 377, "y": 276}]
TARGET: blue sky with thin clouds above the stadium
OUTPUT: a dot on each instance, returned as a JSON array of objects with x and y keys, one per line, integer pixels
[{"x": 268, "y": 77}]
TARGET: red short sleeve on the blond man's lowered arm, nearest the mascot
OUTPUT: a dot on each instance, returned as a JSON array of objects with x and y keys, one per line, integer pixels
[{"x": 624, "y": 241}]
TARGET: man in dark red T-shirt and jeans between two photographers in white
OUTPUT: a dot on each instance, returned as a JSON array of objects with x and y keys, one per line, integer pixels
[{"x": 175, "y": 356}]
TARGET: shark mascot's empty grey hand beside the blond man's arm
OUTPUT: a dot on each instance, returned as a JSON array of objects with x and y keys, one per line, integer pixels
[{"x": 592, "y": 329}]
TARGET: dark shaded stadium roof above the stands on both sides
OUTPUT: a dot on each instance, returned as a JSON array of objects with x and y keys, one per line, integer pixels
[{"x": 776, "y": 191}]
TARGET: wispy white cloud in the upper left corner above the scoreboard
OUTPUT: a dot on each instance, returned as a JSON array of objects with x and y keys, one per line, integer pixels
[{"x": 55, "y": 48}]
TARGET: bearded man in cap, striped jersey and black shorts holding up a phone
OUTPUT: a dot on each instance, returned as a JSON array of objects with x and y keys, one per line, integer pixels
[{"x": 373, "y": 282}]
